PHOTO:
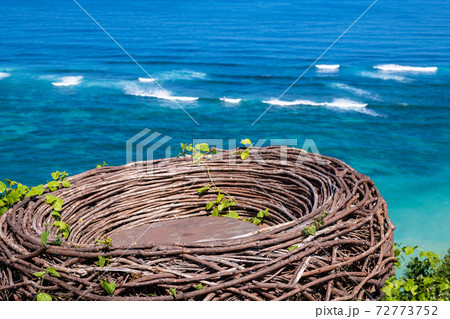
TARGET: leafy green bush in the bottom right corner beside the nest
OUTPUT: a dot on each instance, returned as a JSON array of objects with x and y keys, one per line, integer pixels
[{"x": 426, "y": 277}]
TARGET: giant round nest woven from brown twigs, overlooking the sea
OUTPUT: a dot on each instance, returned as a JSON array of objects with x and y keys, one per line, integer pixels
[{"x": 349, "y": 258}]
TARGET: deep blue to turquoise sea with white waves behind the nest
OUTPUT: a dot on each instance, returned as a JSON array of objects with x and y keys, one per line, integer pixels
[{"x": 70, "y": 97}]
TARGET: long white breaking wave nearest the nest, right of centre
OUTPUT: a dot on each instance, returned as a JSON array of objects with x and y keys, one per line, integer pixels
[{"x": 343, "y": 104}]
